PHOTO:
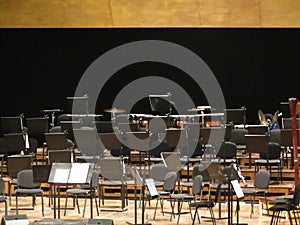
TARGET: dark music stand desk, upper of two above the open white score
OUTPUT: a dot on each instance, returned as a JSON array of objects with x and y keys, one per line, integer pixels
[{"x": 56, "y": 141}]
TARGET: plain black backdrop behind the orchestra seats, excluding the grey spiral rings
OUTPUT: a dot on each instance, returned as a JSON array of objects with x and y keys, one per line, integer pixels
[{"x": 256, "y": 68}]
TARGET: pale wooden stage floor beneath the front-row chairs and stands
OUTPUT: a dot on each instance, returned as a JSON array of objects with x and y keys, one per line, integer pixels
[{"x": 119, "y": 218}]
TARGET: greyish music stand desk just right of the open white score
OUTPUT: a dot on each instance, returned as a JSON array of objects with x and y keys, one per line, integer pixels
[{"x": 111, "y": 169}]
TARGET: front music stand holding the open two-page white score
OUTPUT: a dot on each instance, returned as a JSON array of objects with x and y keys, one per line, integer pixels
[{"x": 64, "y": 174}]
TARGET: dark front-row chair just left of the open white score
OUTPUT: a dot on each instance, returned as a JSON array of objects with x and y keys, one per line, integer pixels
[{"x": 26, "y": 186}]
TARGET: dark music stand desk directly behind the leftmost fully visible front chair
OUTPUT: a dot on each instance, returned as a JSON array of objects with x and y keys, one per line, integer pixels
[{"x": 16, "y": 163}]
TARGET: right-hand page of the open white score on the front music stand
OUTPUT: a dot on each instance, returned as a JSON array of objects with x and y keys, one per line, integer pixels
[{"x": 78, "y": 174}]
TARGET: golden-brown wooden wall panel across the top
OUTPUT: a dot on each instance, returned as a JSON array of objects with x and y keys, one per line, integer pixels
[{"x": 149, "y": 13}]
